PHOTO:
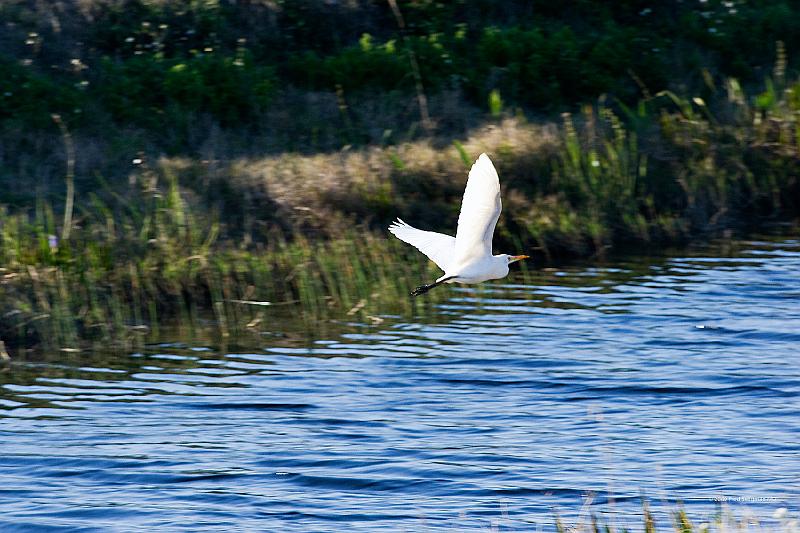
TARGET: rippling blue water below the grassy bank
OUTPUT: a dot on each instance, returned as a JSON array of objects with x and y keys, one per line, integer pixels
[{"x": 676, "y": 378}]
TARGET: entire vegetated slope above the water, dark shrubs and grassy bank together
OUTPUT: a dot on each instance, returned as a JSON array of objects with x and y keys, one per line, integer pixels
[{"x": 220, "y": 154}]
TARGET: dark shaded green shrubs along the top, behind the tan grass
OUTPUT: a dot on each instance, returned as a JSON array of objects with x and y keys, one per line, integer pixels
[{"x": 342, "y": 71}]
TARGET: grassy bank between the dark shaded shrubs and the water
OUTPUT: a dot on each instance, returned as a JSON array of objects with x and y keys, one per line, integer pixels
[{"x": 211, "y": 242}]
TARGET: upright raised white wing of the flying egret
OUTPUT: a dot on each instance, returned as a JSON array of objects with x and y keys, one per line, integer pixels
[{"x": 480, "y": 210}]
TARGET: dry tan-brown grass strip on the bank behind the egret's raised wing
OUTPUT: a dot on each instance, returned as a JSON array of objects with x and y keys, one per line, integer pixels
[{"x": 328, "y": 191}]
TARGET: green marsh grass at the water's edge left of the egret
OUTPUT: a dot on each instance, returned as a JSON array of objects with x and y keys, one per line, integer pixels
[{"x": 151, "y": 259}]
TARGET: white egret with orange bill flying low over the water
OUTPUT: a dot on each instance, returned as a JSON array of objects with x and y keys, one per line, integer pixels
[{"x": 467, "y": 257}]
